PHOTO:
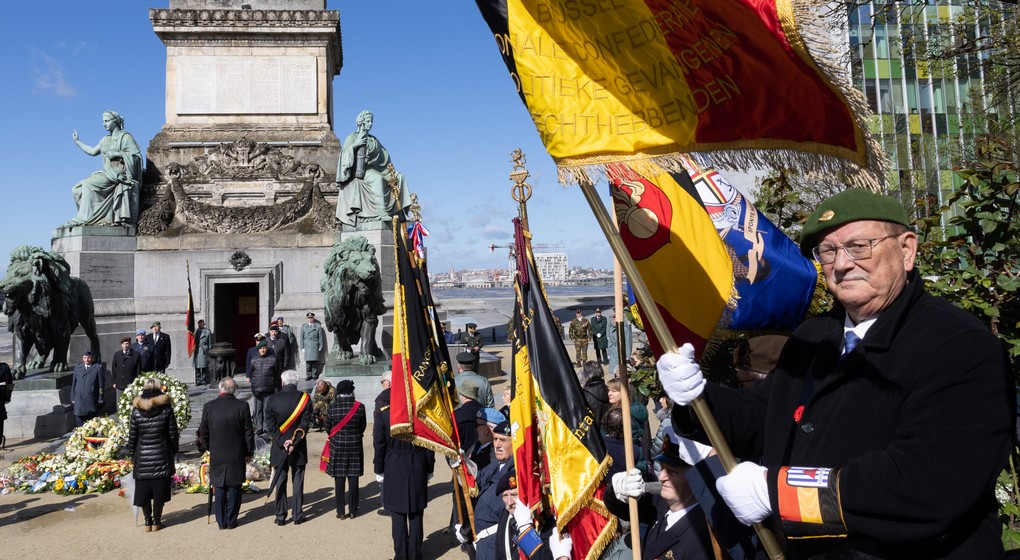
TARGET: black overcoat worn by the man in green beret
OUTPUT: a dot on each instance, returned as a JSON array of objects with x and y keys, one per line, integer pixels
[{"x": 917, "y": 419}]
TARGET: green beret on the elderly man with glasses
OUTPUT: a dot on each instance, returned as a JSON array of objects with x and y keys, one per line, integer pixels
[{"x": 850, "y": 206}]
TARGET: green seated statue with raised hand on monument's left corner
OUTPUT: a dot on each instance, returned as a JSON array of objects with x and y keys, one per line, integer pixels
[{"x": 111, "y": 196}]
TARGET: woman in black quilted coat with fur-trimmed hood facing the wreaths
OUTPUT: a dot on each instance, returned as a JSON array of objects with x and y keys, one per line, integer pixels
[{"x": 154, "y": 444}]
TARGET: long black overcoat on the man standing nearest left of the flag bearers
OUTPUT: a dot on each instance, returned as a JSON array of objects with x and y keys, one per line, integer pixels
[{"x": 405, "y": 467}]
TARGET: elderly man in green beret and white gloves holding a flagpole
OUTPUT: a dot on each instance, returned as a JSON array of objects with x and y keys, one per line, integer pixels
[{"x": 886, "y": 423}]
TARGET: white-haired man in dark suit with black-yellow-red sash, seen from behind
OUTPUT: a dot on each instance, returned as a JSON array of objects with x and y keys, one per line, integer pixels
[{"x": 286, "y": 413}]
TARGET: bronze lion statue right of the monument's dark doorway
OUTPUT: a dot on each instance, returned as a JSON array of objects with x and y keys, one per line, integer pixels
[{"x": 352, "y": 287}]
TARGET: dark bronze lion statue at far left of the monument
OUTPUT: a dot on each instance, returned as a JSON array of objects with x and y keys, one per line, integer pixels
[{"x": 44, "y": 306}]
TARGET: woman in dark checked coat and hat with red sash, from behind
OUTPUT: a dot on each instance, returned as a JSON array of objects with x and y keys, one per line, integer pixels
[{"x": 347, "y": 457}]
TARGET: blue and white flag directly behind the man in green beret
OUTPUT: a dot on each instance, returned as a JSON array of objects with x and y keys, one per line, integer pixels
[{"x": 775, "y": 283}]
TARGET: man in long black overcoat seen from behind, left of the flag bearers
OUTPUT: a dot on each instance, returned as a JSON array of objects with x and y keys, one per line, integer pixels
[{"x": 403, "y": 470}]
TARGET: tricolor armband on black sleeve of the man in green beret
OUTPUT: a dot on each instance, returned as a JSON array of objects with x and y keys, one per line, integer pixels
[{"x": 809, "y": 502}]
